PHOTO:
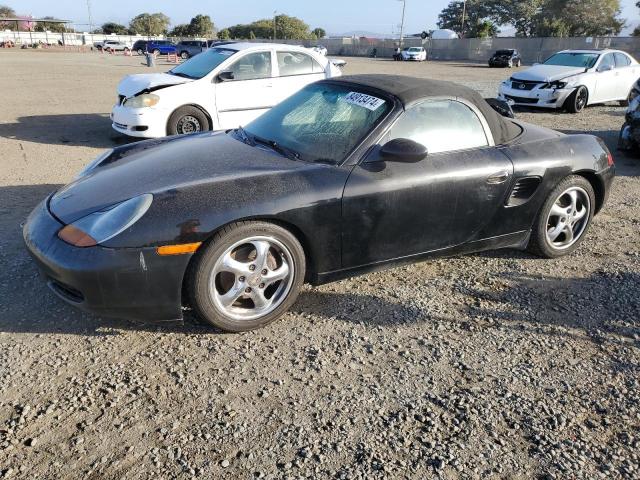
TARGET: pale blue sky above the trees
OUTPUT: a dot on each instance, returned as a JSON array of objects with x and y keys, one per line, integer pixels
[{"x": 335, "y": 16}]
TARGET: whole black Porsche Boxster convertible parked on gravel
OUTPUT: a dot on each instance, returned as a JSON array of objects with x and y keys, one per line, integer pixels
[{"x": 347, "y": 176}]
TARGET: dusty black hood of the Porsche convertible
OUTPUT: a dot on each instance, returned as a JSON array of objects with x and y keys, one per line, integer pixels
[{"x": 165, "y": 166}]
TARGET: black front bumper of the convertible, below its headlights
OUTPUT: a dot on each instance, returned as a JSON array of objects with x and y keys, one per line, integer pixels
[{"x": 131, "y": 283}]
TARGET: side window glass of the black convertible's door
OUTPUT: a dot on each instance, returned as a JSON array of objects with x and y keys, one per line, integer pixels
[{"x": 441, "y": 126}]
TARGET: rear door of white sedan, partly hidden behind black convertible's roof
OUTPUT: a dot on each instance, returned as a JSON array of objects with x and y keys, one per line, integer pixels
[{"x": 295, "y": 70}]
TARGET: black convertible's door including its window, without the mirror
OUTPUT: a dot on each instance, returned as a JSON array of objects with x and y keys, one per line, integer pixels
[{"x": 397, "y": 209}]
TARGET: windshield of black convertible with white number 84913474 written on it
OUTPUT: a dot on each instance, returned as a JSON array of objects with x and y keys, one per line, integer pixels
[{"x": 321, "y": 123}]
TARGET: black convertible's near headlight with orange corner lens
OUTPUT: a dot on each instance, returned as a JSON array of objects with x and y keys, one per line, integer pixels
[{"x": 101, "y": 226}]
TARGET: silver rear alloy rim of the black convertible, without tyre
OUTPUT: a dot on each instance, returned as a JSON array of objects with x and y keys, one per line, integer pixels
[{"x": 568, "y": 218}]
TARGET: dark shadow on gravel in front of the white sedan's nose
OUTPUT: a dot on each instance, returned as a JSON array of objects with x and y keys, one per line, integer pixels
[{"x": 88, "y": 130}]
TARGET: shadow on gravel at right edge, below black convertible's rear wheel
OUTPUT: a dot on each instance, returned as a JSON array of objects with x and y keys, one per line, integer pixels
[{"x": 602, "y": 303}]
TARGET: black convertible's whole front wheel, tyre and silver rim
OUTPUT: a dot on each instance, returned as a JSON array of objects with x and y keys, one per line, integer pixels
[{"x": 248, "y": 275}]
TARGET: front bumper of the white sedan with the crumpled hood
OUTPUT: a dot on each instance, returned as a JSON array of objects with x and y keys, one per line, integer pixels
[{"x": 139, "y": 122}]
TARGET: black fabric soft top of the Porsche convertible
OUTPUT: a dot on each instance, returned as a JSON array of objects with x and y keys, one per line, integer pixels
[{"x": 410, "y": 89}]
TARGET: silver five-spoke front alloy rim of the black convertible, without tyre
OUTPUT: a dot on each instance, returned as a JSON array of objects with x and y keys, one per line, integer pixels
[{"x": 251, "y": 278}]
